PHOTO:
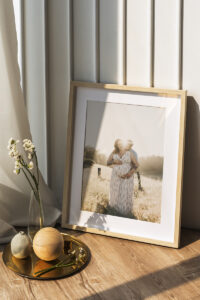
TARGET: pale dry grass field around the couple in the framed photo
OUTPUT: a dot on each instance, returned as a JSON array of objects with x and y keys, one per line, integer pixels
[{"x": 146, "y": 202}]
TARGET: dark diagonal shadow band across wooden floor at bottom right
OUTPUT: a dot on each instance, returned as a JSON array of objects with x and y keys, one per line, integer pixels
[{"x": 155, "y": 283}]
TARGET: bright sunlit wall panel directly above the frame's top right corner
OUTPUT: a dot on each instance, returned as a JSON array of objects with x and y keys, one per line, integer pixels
[{"x": 167, "y": 44}]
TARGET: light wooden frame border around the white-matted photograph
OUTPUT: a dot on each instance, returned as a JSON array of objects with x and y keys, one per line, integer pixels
[{"x": 70, "y": 131}]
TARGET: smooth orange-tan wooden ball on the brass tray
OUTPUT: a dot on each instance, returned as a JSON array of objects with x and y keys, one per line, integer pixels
[{"x": 48, "y": 243}]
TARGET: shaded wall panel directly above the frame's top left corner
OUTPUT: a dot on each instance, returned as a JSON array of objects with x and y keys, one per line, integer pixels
[{"x": 84, "y": 40}]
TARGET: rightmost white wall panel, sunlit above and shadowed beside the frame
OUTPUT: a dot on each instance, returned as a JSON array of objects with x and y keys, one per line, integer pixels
[{"x": 191, "y": 82}]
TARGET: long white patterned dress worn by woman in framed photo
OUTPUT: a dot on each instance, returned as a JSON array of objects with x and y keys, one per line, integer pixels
[{"x": 121, "y": 190}]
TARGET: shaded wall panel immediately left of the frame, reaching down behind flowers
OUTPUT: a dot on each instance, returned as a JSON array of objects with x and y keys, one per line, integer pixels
[{"x": 58, "y": 51}]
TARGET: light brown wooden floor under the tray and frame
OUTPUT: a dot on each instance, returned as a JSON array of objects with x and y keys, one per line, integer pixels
[{"x": 119, "y": 269}]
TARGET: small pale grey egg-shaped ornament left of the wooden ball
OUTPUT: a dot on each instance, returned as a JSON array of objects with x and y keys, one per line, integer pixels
[{"x": 21, "y": 245}]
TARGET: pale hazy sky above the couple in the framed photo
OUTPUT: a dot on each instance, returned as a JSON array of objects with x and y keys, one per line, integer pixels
[{"x": 107, "y": 122}]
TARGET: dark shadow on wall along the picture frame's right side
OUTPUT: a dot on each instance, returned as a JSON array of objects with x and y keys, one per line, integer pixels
[{"x": 191, "y": 179}]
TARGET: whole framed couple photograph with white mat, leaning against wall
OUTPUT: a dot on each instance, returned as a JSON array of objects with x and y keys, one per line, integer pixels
[{"x": 124, "y": 164}]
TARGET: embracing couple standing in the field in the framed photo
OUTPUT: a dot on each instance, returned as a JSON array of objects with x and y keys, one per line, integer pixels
[{"x": 124, "y": 165}]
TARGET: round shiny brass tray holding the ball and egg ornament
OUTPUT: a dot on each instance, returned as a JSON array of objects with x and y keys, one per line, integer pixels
[{"x": 75, "y": 252}]
